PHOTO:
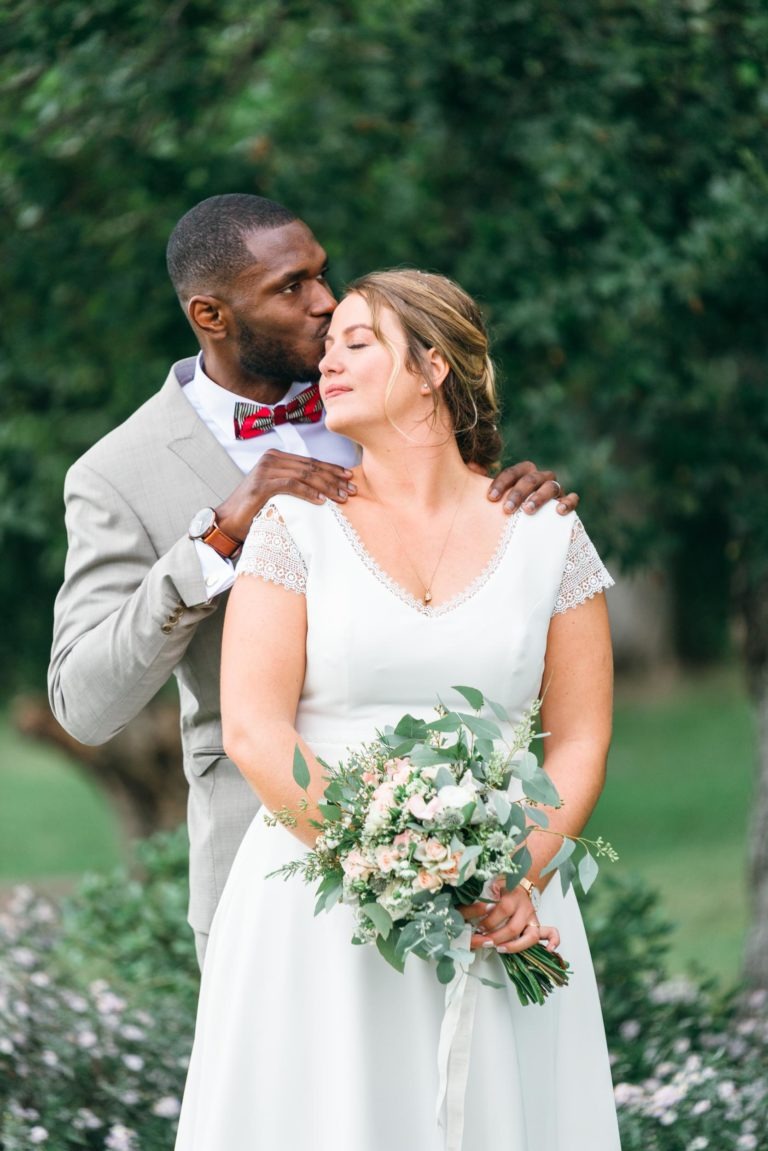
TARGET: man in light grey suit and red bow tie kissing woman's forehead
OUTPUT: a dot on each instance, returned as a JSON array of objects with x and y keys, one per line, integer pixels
[{"x": 158, "y": 509}]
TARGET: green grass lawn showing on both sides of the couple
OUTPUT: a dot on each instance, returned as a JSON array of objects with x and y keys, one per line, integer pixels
[{"x": 676, "y": 807}]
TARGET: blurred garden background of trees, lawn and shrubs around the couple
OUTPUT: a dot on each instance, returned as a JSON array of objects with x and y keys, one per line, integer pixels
[{"x": 597, "y": 176}]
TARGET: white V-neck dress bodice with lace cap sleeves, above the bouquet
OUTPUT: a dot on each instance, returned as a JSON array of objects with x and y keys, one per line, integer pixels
[{"x": 375, "y": 653}]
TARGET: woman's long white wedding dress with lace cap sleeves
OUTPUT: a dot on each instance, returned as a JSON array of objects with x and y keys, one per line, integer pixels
[{"x": 308, "y": 1043}]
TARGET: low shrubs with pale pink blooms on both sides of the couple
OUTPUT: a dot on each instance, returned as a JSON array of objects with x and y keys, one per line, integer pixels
[{"x": 97, "y": 1009}]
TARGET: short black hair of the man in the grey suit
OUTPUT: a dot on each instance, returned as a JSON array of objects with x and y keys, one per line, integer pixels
[{"x": 207, "y": 249}]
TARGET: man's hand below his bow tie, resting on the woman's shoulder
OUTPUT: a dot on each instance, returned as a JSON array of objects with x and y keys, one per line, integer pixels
[{"x": 282, "y": 474}]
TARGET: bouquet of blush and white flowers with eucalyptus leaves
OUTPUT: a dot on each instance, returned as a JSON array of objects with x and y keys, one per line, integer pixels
[{"x": 422, "y": 821}]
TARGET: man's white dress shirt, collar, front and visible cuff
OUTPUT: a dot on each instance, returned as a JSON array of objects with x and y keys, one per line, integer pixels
[{"x": 216, "y": 407}]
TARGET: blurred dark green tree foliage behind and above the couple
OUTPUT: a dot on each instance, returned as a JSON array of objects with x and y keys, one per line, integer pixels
[{"x": 594, "y": 171}]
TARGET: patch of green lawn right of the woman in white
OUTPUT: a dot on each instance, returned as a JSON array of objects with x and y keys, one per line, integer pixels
[{"x": 676, "y": 806}]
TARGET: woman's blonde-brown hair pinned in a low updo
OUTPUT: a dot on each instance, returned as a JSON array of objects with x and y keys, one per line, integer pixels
[{"x": 435, "y": 312}]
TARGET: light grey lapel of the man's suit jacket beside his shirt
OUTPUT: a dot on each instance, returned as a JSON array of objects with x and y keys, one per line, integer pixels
[{"x": 192, "y": 440}]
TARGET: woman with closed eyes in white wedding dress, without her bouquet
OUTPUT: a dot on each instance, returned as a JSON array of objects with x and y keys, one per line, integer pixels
[{"x": 356, "y": 616}]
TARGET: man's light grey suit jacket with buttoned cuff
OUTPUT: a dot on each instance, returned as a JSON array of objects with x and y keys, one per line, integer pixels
[{"x": 134, "y": 611}]
